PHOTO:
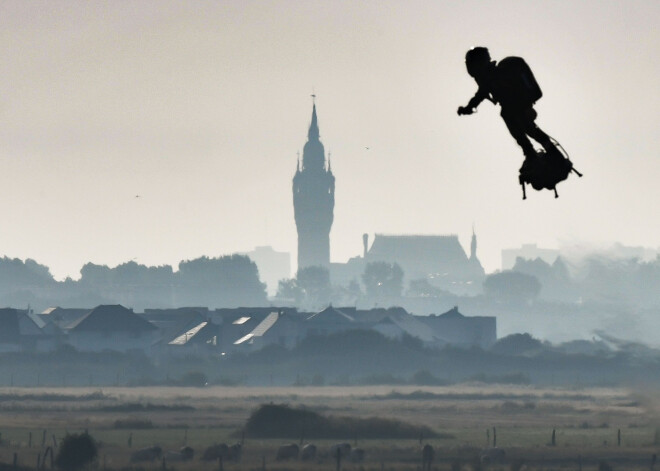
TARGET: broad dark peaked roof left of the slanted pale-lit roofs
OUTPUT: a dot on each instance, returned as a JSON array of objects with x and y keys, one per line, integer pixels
[{"x": 112, "y": 318}]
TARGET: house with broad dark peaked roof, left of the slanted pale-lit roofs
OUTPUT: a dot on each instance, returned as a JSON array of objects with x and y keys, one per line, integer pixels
[{"x": 112, "y": 327}]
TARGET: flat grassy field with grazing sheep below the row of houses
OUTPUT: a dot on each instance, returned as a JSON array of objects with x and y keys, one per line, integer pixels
[{"x": 587, "y": 424}]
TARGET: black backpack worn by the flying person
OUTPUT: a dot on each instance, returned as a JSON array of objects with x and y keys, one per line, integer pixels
[{"x": 519, "y": 85}]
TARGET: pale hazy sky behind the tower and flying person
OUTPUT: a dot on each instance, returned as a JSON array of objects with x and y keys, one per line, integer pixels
[{"x": 201, "y": 107}]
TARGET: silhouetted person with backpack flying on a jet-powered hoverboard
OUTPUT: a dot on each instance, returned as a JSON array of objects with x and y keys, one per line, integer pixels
[{"x": 511, "y": 84}]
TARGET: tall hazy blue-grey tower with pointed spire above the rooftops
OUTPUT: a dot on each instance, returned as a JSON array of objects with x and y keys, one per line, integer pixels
[{"x": 313, "y": 201}]
